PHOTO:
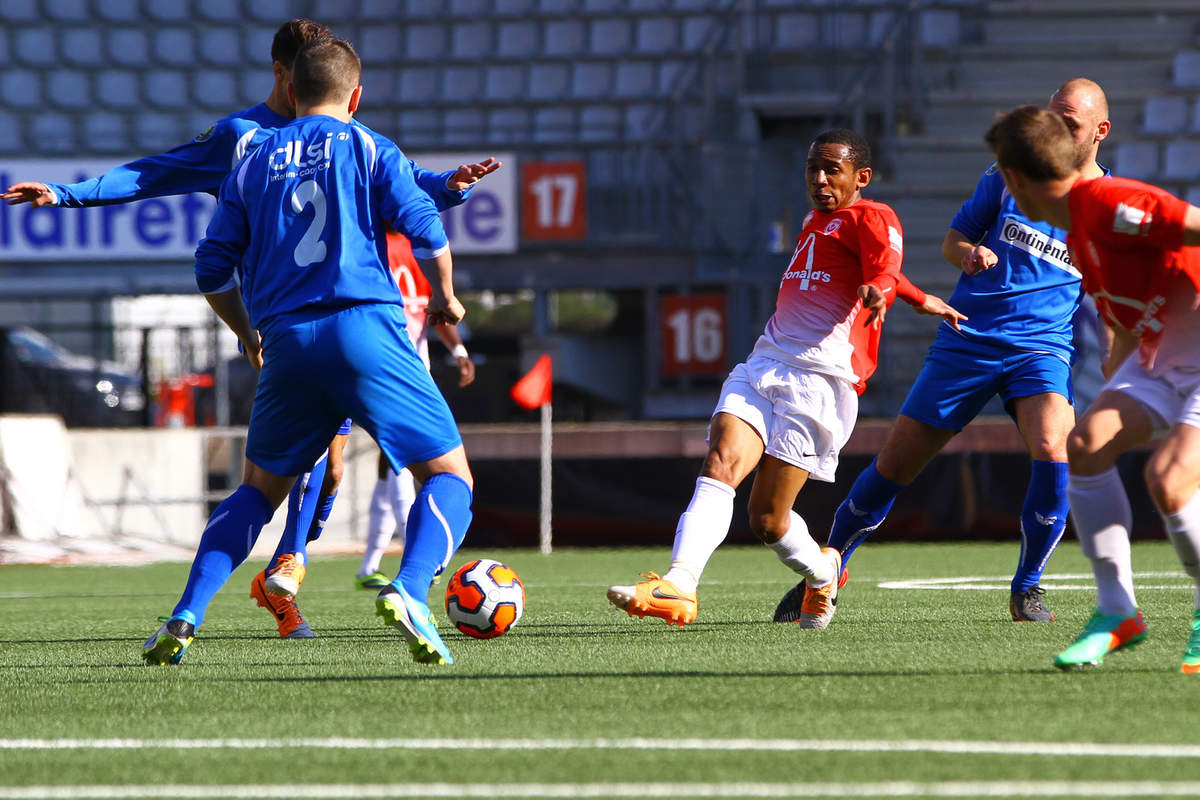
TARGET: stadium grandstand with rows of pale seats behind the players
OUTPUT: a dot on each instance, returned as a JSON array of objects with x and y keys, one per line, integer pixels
[{"x": 655, "y": 160}]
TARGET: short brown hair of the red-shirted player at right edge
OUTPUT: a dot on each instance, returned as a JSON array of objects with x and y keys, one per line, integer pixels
[{"x": 1035, "y": 142}]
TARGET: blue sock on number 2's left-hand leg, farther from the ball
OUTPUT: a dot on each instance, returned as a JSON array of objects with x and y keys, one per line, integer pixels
[{"x": 227, "y": 540}]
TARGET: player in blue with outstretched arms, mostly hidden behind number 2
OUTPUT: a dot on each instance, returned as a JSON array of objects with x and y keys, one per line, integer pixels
[{"x": 200, "y": 166}]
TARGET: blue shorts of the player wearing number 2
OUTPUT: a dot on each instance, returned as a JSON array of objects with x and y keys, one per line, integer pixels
[{"x": 322, "y": 368}]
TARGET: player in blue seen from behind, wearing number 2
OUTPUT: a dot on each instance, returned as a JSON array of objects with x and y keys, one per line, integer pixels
[{"x": 303, "y": 221}]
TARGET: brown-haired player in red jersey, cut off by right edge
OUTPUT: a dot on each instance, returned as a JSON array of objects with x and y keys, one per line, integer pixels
[{"x": 1137, "y": 249}]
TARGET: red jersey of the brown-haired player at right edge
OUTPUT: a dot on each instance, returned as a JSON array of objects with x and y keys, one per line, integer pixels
[{"x": 1127, "y": 239}]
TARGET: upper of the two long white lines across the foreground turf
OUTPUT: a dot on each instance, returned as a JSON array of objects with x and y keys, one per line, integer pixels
[{"x": 1071, "y": 749}]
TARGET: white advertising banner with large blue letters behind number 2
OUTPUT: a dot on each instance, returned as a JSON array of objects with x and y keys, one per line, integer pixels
[{"x": 169, "y": 228}]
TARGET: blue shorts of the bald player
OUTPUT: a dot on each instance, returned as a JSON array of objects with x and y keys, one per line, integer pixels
[{"x": 959, "y": 380}]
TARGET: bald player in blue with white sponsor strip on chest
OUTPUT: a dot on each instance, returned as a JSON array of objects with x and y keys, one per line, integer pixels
[{"x": 1019, "y": 291}]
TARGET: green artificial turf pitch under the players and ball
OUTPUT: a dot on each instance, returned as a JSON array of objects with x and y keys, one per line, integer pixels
[{"x": 896, "y": 666}]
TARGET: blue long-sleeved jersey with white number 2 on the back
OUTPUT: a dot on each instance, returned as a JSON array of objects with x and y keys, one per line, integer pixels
[{"x": 304, "y": 218}]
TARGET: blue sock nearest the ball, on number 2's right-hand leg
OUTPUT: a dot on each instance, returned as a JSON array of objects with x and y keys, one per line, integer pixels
[{"x": 437, "y": 526}]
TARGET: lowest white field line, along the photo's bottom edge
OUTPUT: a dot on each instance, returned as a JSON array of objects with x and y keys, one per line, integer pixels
[{"x": 659, "y": 790}]
